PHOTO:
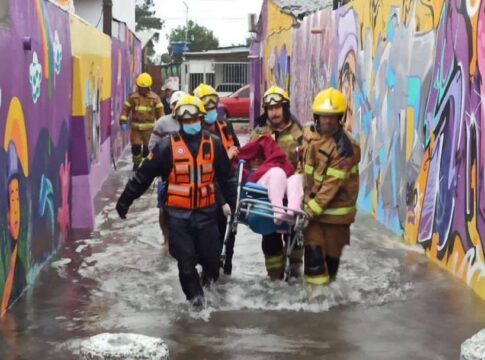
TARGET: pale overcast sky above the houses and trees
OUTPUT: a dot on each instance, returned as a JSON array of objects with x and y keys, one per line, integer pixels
[{"x": 228, "y": 19}]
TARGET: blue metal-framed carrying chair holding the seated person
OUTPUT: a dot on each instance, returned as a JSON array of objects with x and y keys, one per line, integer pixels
[{"x": 254, "y": 209}]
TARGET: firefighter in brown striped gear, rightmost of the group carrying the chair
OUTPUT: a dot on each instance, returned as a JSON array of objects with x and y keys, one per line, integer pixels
[{"x": 330, "y": 157}]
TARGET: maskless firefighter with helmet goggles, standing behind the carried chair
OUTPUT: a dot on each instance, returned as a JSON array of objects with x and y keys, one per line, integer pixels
[{"x": 285, "y": 129}]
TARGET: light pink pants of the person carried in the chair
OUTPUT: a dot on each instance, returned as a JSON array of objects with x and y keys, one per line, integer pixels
[{"x": 278, "y": 184}]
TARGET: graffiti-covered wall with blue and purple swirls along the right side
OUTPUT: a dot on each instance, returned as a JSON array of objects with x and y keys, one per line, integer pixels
[{"x": 412, "y": 71}]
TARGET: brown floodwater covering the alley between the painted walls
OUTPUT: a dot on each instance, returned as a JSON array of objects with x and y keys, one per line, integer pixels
[{"x": 389, "y": 302}]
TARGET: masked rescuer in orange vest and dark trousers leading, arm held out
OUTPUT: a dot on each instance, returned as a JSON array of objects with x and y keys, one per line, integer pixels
[{"x": 190, "y": 161}]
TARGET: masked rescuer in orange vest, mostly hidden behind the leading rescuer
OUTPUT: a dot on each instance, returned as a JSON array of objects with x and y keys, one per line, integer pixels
[{"x": 224, "y": 130}]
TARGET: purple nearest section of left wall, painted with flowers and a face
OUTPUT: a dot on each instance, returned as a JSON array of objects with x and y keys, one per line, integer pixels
[{"x": 35, "y": 80}]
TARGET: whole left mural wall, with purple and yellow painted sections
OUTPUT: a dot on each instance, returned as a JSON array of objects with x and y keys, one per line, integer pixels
[{"x": 50, "y": 85}]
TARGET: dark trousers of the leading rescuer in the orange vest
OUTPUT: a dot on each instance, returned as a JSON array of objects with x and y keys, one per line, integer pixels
[{"x": 195, "y": 240}]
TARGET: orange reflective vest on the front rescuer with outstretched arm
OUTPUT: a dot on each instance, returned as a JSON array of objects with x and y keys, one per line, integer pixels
[{"x": 191, "y": 182}]
